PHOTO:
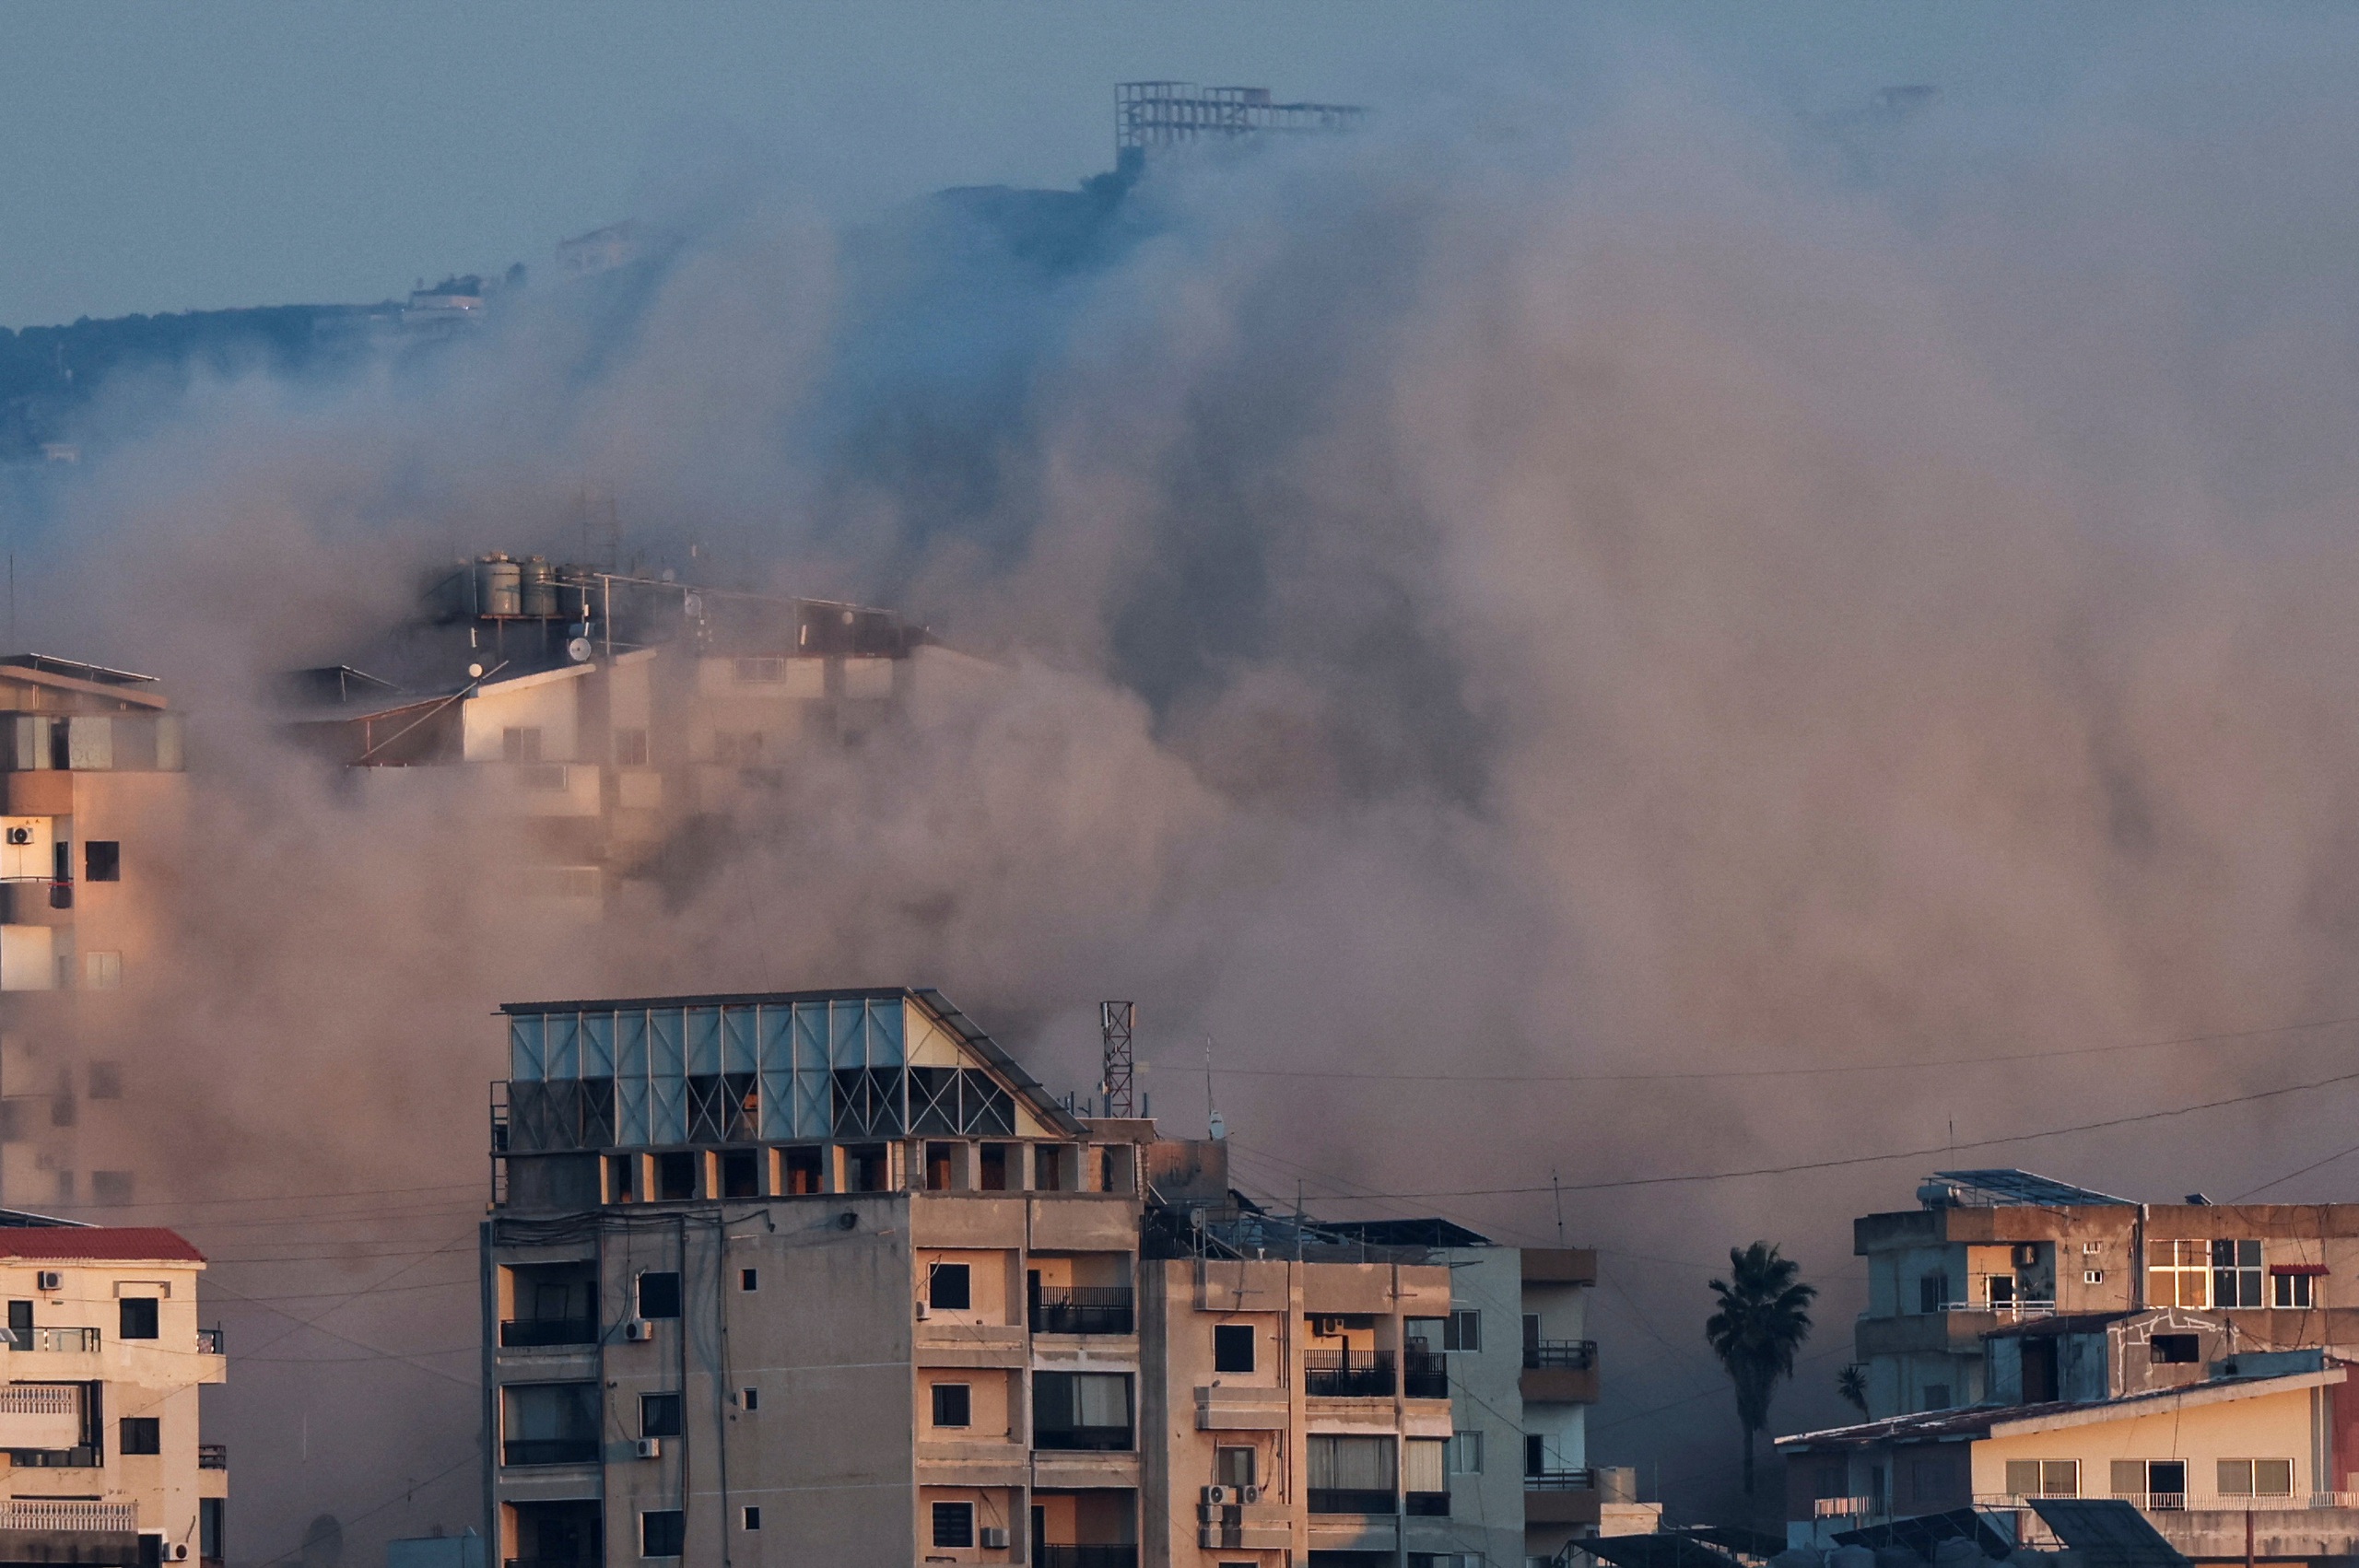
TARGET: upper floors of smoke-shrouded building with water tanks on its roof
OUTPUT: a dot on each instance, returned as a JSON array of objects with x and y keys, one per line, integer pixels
[{"x": 605, "y": 713}]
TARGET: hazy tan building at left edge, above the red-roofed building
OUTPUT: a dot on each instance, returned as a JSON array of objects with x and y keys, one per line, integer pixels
[{"x": 93, "y": 775}]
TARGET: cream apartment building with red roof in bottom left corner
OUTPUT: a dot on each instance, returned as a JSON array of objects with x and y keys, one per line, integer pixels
[{"x": 100, "y": 1409}]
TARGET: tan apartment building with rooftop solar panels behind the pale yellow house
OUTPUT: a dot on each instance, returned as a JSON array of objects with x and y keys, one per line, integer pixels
[{"x": 1997, "y": 1249}]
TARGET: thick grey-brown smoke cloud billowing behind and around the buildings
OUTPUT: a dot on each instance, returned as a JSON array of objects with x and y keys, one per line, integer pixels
[{"x": 1688, "y": 645}]
